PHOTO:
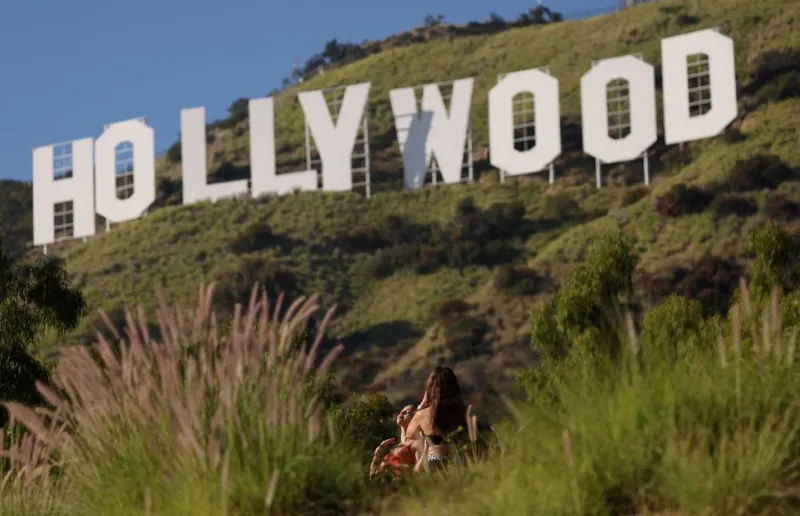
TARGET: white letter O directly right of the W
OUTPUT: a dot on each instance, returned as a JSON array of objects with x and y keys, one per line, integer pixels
[{"x": 501, "y": 122}]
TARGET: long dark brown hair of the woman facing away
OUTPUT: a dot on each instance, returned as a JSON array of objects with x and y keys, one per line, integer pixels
[{"x": 443, "y": 396}]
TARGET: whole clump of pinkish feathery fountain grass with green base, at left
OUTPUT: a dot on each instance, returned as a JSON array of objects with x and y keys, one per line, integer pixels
[{"x": 198, "y": 420}]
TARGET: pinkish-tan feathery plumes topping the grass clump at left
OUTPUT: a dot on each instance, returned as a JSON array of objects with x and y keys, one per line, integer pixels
[{"x": 190, "y": 380}]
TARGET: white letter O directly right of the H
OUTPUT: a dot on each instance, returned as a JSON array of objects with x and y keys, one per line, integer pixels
[{"x": 142, "y": 138}]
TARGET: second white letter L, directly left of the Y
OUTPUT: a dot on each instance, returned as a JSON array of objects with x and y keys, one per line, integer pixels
[{"x": 262, "y": 155}]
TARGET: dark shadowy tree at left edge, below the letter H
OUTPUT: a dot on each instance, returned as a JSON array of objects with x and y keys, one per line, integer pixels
[{"x": 34, "y": 297}]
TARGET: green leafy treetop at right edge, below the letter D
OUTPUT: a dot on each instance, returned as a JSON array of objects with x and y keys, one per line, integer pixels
[{"x": 777, "y": 261}]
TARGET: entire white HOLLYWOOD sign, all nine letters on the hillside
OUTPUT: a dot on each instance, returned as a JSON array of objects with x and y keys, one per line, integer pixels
[{"x": 433, "y": 132}]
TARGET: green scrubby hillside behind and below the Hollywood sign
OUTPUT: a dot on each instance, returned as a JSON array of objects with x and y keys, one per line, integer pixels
[{"x": 392, "y": 283}]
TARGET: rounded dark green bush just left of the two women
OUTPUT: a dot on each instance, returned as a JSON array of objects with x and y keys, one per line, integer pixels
[{"x": 364, "y": 421}]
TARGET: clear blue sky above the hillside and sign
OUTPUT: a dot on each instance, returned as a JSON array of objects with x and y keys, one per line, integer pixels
[{"x": 67, "y": 67}]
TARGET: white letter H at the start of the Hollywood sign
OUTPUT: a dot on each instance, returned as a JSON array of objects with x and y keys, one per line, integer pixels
[{"x": 78, "y": 190}]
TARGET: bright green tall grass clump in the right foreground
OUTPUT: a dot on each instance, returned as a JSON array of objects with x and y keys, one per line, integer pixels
[{"x": 714, "y": 433}]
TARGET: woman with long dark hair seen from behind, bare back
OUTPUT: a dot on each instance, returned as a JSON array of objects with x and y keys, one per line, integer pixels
[{"x": 441, "y": 420}]
